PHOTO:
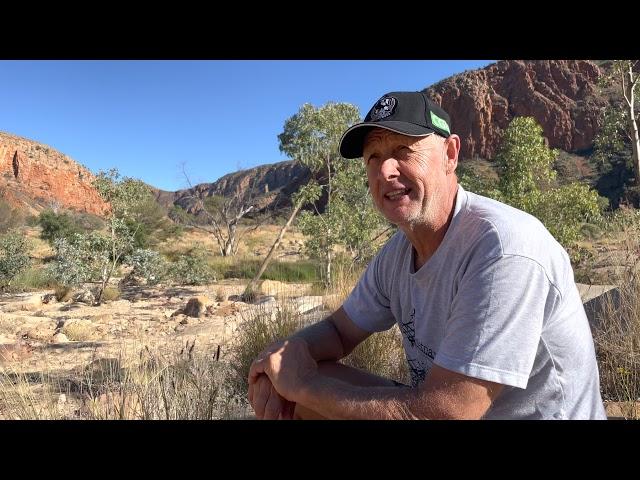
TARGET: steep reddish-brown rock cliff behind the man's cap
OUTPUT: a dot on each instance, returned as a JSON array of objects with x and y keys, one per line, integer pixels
[{"x": 559, "y": 94}]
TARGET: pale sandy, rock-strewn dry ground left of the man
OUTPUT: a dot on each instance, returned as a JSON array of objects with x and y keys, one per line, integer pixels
[{"x": 43, "y": 338}]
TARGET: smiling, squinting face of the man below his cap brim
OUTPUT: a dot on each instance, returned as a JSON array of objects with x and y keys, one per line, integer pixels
[{"x": 407, "y": 176}]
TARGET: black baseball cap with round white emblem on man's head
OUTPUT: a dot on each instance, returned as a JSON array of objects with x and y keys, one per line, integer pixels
[{"x": 408, "y": 113}]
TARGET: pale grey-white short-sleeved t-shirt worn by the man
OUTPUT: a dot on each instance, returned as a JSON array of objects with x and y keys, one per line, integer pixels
[{"x": 496, "y": 301}]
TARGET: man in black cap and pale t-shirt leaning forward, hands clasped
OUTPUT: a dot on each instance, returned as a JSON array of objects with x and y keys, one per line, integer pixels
[{"x": 492, "y": 323}]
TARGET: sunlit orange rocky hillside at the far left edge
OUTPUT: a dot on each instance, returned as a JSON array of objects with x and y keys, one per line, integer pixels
[{"x": 34, "y": 174}]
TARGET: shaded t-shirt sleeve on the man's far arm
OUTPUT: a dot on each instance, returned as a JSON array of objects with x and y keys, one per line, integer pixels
[{"x": 368, "y": 305}]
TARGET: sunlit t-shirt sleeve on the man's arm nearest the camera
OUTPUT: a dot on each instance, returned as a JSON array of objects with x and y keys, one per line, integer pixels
[{"x": 495, "y": 325}]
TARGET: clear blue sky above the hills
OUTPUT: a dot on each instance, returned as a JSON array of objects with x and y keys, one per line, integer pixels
[{"x": 148, "y": 118}]
